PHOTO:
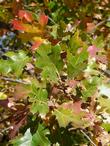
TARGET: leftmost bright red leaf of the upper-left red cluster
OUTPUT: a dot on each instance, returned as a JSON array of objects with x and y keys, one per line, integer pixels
[{"x": 18, "y": 25}]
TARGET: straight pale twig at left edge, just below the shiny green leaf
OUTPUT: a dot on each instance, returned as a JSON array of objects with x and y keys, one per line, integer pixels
[{"x": 14, "y": 80}]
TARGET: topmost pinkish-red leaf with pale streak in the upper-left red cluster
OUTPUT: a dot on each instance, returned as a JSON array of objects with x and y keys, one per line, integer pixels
[{"x": 26, "y": 15}]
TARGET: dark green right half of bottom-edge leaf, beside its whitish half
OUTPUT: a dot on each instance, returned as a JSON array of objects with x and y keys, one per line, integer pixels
[{"x": 39, "y": 138}]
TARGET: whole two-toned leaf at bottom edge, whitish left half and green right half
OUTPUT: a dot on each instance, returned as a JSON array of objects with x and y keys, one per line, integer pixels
[{"x": 38, "y": 139}]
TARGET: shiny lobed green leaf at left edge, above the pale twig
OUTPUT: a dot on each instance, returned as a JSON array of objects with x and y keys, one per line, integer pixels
[{"x": 14, "y": 64}]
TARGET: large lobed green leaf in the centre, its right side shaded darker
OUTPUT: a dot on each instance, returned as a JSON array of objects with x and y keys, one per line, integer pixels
[{"x": 48, "y": 59}]
